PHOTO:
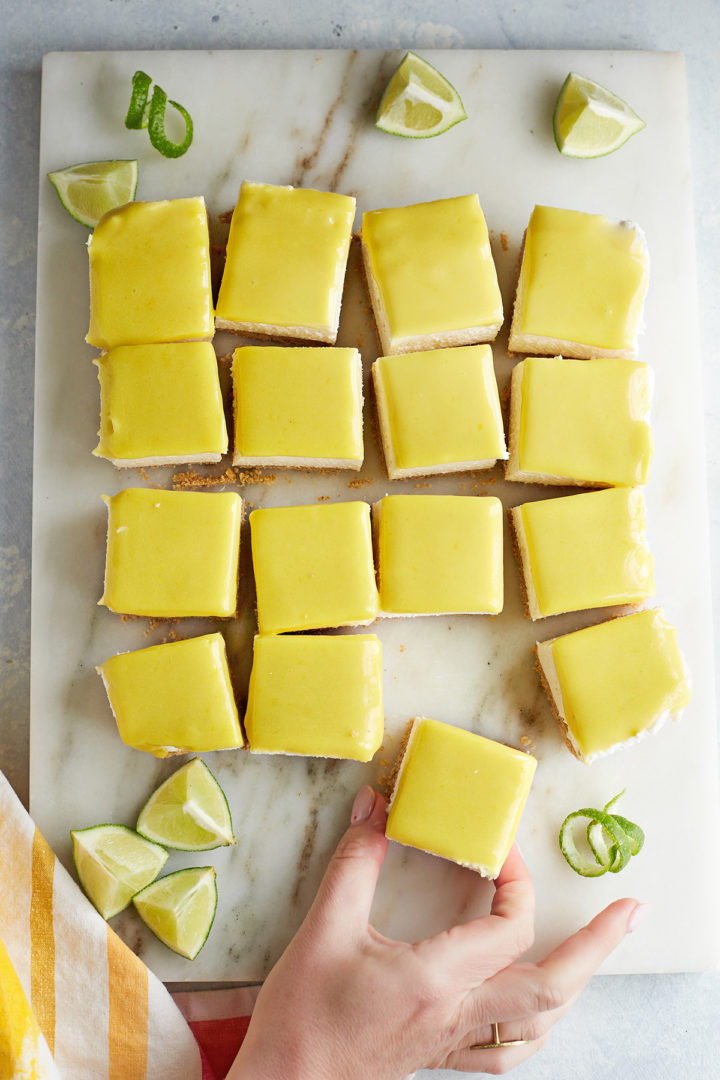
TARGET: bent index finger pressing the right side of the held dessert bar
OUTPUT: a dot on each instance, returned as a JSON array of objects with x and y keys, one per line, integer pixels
[{"x": 478, "y": 950}]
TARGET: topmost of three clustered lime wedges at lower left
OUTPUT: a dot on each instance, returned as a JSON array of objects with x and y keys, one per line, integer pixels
[{"x": 188, "y": 812}]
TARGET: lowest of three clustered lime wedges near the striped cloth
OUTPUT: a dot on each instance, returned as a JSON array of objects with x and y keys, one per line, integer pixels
[{"x": 180, "y": 909}]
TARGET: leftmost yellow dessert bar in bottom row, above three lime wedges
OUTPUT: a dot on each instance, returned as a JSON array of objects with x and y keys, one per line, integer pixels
[{"x": 174, "y": 699}]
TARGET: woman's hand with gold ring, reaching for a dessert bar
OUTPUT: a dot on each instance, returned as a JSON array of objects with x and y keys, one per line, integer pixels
[{"x": 346, "y": 1004}]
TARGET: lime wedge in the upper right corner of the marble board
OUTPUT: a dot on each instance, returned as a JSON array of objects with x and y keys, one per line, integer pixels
[{"x": 591, "y": 121}]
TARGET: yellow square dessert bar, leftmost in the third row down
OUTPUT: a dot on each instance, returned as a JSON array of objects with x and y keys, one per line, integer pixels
[{"x": 172, "y": 553}]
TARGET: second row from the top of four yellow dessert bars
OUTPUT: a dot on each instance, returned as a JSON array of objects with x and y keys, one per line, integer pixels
[{"x": 572, "y": 423}]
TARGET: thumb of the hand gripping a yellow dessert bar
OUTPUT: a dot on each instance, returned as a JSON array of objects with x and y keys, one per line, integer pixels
[{"x": 346, "y": 894}]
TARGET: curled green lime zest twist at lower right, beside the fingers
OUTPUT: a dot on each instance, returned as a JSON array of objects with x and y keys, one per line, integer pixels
[{"x": 612, "y": 839}]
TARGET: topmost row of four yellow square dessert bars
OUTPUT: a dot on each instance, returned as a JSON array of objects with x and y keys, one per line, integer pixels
[{"x": 430, "y": 272}]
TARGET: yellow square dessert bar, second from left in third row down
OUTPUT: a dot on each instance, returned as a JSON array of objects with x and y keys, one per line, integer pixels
[{"x": 314, "y": 566}]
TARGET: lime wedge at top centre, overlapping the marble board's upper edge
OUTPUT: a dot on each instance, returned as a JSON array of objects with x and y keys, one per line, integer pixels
[{"x": 419, "y": 102}]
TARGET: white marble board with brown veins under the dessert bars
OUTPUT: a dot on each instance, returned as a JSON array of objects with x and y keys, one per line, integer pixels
[{"x": 306, "y": 118}]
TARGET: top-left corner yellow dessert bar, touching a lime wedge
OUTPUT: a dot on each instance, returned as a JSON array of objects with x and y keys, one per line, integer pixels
[{"x": 151, "y": 275}]
